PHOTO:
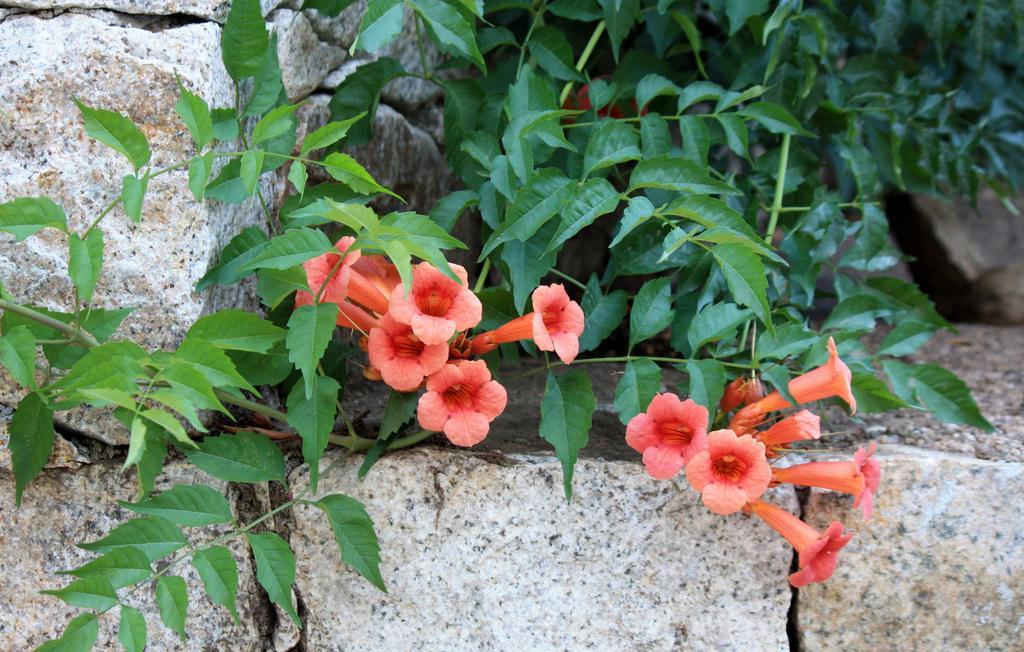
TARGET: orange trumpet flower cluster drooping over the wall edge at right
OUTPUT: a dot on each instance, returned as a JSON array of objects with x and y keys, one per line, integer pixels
[{"x": 732, "y": 467}]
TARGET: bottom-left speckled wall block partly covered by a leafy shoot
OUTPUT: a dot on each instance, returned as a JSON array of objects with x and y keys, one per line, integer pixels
[{"x": 62, "y": 508}]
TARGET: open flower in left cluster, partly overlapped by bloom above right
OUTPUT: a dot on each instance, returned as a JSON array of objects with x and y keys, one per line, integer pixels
[{"x": 403, "y": 359}]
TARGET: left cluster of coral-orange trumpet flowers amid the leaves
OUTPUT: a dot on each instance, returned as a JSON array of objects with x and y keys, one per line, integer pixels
[{"x": 418, "y": 337}]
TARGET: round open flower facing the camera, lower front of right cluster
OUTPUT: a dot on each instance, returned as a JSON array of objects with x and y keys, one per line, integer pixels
[{"x": 731, "y": 472}]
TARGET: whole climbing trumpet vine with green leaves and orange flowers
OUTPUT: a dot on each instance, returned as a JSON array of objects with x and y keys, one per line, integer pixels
[{"x": 730, "y": 156}]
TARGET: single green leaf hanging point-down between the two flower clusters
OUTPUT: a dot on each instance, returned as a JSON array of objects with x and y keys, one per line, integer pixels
[{"x": 566, "y": 419}]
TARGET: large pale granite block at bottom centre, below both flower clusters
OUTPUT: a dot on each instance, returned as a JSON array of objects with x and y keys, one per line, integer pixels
[{"x": 484, "y": 553}]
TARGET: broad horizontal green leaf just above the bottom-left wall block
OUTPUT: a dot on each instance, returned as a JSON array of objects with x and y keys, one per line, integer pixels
[{"x": 244, "y": 457}]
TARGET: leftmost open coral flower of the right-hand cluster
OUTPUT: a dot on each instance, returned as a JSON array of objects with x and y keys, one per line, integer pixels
[{"x": 669, "y": 434}]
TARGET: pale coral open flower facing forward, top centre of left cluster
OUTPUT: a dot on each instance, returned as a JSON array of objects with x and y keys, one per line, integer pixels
[{"x": 437, "y": 307}]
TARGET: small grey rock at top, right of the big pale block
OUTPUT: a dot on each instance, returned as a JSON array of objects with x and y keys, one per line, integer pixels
[{"x": 306, "y": 61}]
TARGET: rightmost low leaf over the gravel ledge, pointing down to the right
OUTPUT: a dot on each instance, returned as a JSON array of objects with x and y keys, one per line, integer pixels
[{"x": 940, "y": 390}]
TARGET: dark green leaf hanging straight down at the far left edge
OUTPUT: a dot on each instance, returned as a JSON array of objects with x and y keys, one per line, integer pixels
[{"x": 31, "y": 430}]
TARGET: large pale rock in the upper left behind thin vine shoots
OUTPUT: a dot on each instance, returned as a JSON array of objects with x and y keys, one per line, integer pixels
[{"x": 44, "y": 151}]
